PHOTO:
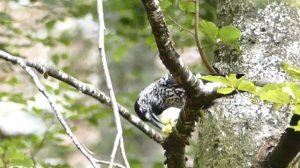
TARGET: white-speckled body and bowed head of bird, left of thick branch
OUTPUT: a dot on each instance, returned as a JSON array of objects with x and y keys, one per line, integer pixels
[{"x": 157, "y": 97}]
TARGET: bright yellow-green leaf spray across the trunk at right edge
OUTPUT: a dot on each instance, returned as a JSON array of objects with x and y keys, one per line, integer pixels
[{"x": 281, "y": 94}]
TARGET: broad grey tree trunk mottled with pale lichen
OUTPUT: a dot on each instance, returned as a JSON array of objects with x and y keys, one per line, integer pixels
[{"x": 232, "y": 131}]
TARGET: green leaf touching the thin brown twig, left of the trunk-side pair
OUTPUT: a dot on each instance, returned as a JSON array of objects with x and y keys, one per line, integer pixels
[{"x": 210, "y": 29}]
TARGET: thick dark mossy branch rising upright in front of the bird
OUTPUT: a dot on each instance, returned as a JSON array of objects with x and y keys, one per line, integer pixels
[{"x": 175, "y": 143}]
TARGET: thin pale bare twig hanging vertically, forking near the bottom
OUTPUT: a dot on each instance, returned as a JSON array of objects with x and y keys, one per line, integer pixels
[{"x": 110, "y": 88}]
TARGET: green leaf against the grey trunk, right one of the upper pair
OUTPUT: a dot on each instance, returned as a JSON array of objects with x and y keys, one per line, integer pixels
[{"x": 230, "y": 36}]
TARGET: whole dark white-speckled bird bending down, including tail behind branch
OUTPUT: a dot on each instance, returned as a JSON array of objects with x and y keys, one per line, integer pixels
[{"x": 163, "y": 99}]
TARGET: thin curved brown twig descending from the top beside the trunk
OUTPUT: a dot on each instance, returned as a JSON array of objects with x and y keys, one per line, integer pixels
[{"x": 200, "y": 49}]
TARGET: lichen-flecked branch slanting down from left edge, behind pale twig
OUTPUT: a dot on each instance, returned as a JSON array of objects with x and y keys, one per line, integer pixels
[{"x": 88, "y": 90}]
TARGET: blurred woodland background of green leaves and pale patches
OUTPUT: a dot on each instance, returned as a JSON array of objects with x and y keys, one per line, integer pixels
[{"x": 63, "y": 34}]
